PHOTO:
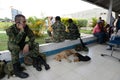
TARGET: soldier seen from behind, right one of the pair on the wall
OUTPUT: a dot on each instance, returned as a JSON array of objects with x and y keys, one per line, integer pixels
[{"x": 73, "y": 31}]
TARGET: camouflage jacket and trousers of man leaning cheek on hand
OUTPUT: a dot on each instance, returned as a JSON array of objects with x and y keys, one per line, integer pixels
[{"x": 17, "y": 40}]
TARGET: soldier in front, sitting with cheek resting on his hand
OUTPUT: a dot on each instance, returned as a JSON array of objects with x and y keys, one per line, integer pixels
[{"x": 17, "y": 34}]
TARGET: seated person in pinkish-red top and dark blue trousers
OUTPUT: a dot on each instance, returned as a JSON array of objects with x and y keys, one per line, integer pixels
[{"x": 98, "y": 31}]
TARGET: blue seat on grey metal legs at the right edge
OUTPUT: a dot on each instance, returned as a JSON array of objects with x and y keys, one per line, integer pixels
[{"x": 115, "y": 44}]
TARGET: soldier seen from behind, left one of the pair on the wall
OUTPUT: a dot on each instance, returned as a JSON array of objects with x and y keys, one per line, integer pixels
[{"x": 57, "y": 31}]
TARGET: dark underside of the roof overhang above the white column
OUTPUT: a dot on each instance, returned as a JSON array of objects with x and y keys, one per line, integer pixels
[{"x": 105, "y": 4}]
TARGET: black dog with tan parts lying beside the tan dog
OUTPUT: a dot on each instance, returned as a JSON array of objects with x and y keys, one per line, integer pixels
[{"x": 80, "y": 57}]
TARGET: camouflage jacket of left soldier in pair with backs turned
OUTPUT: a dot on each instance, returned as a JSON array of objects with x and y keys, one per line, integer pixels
[{"x": 58, "y": 30}]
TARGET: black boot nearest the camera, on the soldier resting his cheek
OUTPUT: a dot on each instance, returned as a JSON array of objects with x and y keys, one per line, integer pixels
[{"x": 17, "y": 71}]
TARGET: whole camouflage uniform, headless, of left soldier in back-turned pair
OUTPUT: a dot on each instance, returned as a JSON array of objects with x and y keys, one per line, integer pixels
[{"x": 58, "y": 32}]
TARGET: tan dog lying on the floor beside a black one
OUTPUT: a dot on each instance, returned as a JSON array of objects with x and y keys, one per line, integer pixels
[{"x": 65, "y": 55}]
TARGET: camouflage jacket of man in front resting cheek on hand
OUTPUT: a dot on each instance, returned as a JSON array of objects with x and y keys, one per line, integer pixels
[{"x": 18, "y": 37}]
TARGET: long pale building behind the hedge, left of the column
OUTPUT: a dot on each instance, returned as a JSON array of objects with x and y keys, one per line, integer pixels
[{"x": 88, "y": 14}]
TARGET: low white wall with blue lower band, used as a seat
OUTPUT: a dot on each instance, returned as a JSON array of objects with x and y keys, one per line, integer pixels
[{"x": 53, "y": 48}]
